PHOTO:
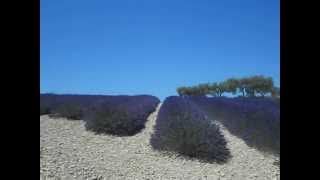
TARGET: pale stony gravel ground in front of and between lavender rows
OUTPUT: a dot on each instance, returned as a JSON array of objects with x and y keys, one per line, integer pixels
[{"x": 68, "y": 151}]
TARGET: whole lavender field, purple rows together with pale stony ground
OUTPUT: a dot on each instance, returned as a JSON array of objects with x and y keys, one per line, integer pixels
[{"x": 139, "y": 137}]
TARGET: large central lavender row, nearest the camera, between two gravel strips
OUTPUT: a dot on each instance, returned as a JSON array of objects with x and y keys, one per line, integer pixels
[{"x": 182, "y": 127}]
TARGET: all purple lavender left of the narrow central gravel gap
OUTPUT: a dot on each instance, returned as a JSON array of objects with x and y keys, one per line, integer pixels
[{"x": 118, "y": 115}]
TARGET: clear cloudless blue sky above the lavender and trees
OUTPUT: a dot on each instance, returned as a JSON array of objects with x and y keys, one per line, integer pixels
[{"x": 153, "y": 46}]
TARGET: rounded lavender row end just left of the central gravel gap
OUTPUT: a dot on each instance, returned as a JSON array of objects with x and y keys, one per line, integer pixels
[{"x": 120, "y": 115}]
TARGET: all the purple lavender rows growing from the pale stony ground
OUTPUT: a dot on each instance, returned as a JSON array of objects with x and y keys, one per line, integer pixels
[{"x": 184, "y": 124}]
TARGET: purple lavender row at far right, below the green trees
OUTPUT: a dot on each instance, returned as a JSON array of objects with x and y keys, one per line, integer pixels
[{"x": 256, "y": 120}]
